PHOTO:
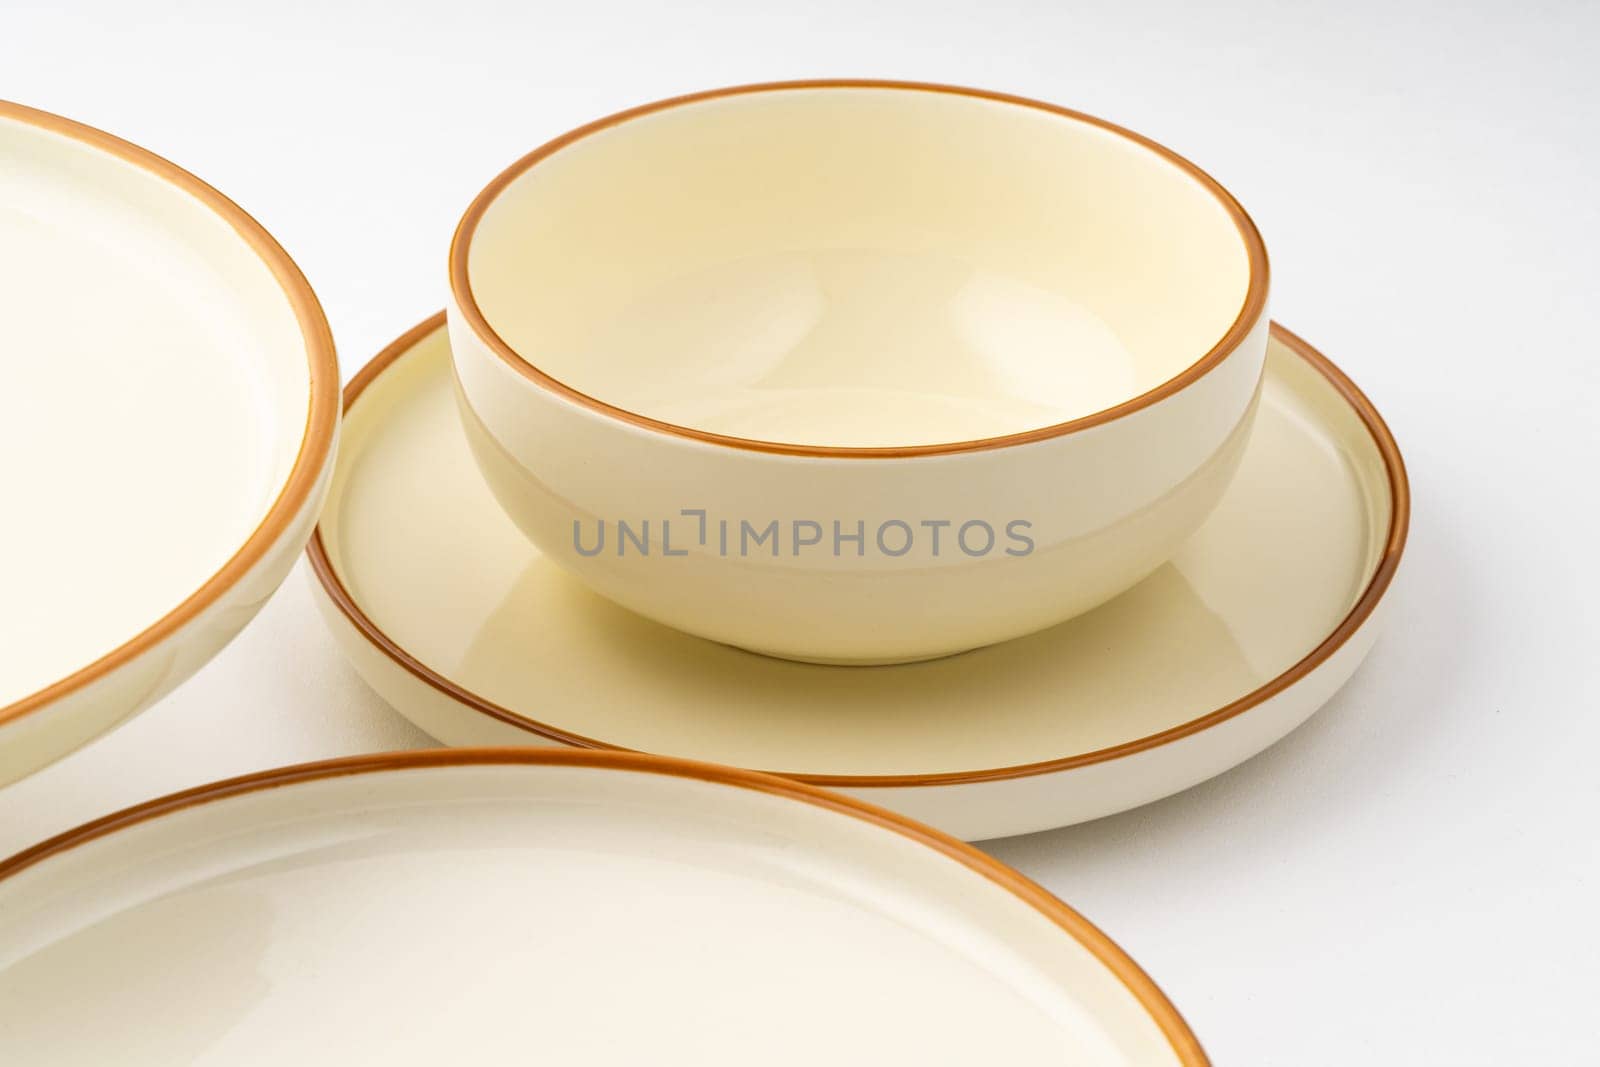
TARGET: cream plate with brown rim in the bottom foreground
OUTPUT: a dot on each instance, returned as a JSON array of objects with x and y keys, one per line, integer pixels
[{"x": 542, "y": 906}]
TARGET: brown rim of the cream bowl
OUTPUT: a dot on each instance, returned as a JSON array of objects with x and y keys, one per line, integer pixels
[{"x": 1250, "y": 311}]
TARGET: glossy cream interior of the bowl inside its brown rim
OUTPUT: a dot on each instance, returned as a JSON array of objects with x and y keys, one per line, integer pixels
[{"x": 860, "y": 266}]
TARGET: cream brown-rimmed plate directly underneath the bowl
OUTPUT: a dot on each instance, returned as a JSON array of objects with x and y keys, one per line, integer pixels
[{"x": 473, "y": 634}]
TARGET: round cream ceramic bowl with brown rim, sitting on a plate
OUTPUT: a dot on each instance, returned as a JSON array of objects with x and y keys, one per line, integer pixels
[{"x": 857, "y": 372}]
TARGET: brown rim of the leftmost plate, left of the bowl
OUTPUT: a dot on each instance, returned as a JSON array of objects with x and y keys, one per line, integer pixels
[{"x": 322, "y": 415}]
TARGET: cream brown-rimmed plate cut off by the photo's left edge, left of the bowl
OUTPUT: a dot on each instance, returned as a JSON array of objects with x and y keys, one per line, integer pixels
[{"x": 169, "y": 399}]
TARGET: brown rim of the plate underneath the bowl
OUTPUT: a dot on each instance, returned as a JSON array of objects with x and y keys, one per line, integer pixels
[{"x": 1364, "y": 607}]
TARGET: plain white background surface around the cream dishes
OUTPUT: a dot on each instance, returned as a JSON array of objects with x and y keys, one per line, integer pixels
[{"x": 1410, "y": 879}]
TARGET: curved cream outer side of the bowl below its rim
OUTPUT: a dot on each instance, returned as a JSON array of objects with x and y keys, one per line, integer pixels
[{"x": 844, "y": 561}]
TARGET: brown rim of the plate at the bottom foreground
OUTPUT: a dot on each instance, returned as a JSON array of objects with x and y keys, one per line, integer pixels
[{"x": 1116, "y": 961}]
